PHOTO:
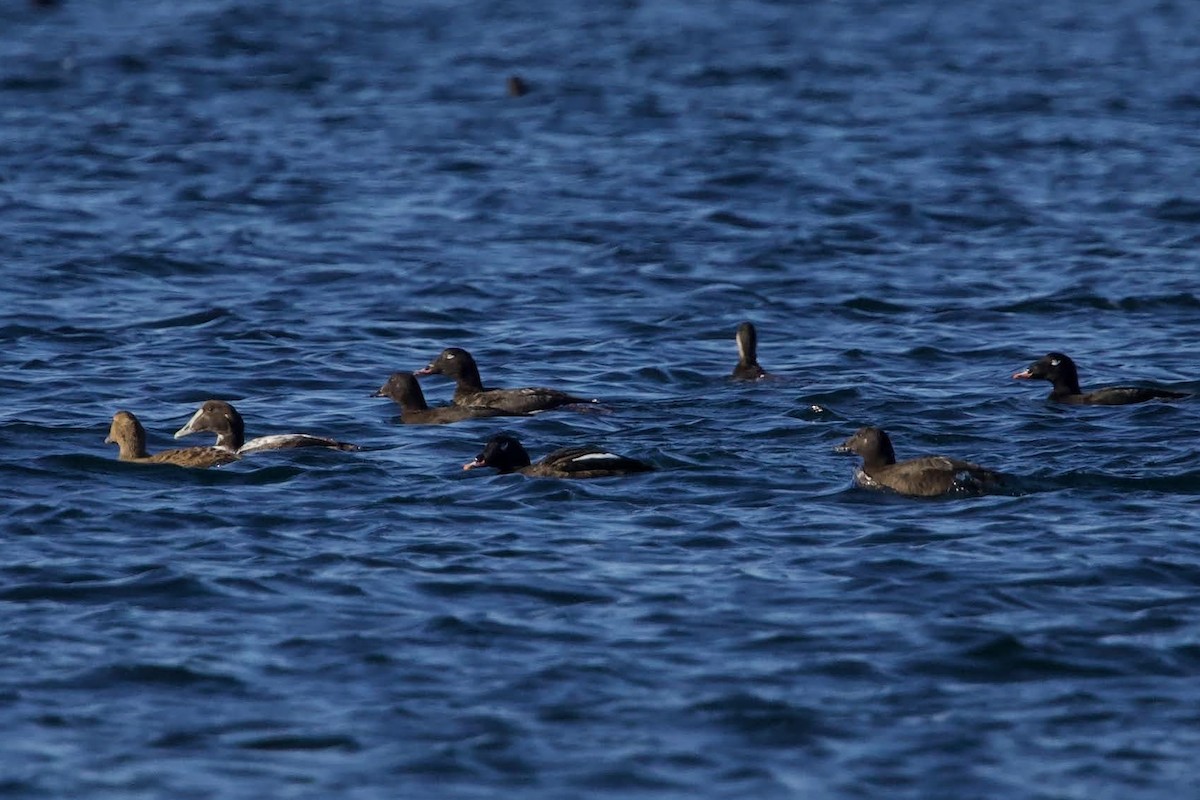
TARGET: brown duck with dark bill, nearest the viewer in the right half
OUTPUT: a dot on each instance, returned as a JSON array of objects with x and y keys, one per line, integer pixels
[{"x": 925, "y": 477}]
